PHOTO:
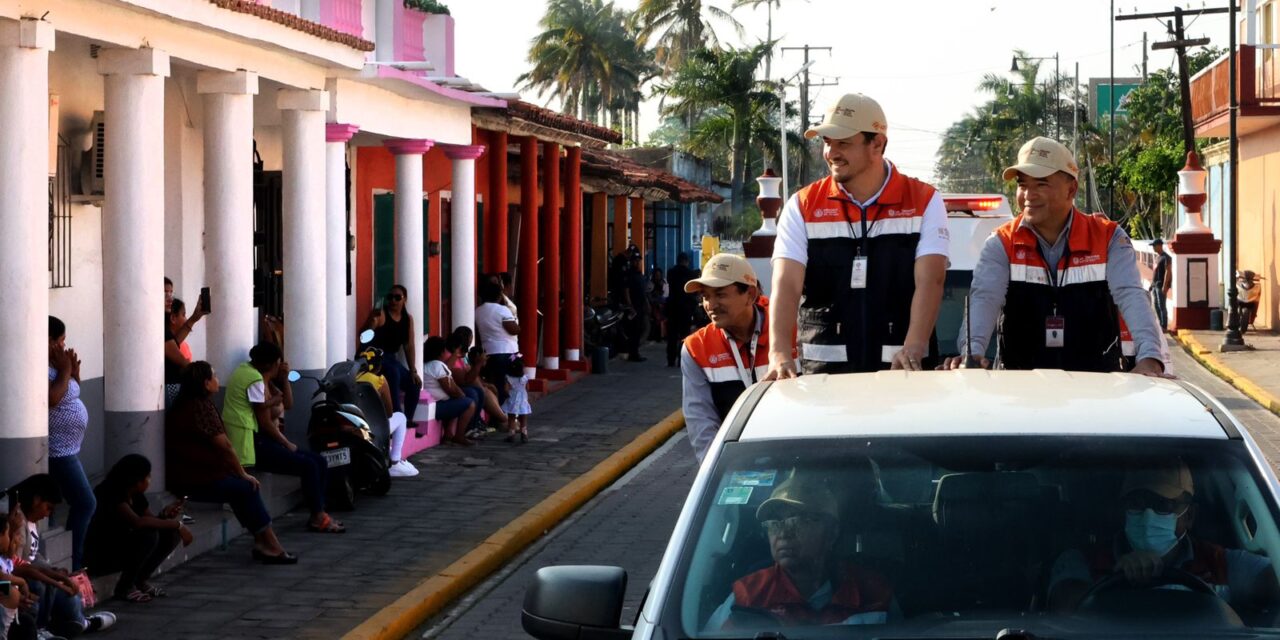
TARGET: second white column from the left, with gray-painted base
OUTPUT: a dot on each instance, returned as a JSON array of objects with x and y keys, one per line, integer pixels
[{"x": 132, "y": 255}]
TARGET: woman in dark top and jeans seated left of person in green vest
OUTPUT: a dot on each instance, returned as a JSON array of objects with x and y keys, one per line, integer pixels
[{"x": 203, "y": 465}]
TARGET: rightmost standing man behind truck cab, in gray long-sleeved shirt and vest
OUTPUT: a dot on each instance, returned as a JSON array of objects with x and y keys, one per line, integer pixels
[{"x": 1054, "y": 277}]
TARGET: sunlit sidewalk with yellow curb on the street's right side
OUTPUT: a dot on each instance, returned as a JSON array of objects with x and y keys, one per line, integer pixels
[{"x": 1256, "y": 373}]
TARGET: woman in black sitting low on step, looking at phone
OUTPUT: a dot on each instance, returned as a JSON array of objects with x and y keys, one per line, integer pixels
[{"x": 125, "y": 537}]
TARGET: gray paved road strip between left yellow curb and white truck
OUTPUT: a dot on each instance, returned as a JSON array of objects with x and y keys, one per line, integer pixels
[{"x": 628, "y": 525}]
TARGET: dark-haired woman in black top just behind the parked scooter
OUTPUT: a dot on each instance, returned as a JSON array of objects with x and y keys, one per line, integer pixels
[{"x": 394, "y": 332}]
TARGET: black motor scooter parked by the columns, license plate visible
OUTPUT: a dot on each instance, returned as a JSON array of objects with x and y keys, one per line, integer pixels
[{"x": 351, "y": 431}]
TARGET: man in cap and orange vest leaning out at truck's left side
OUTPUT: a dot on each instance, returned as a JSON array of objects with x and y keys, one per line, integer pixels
[{"x": 721, "y": 360}]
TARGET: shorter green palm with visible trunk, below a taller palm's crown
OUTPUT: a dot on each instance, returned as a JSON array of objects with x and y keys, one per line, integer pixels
[{"x": 716, "y": 80}]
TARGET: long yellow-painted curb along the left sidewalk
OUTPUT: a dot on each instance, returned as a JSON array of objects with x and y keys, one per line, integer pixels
[{"x": 437, "y": 592}]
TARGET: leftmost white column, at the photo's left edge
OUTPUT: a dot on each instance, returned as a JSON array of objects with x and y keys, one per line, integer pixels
[{"x": 25, "y": 48}]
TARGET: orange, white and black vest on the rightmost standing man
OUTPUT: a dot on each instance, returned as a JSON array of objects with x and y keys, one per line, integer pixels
[{"x": 1075, "y": 291}]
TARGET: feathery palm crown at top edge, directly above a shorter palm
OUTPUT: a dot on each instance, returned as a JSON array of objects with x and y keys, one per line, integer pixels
[{"x": 680, "y": 28}]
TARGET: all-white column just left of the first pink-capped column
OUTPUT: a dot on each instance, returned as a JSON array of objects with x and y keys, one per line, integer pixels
[{"x": 304, "y": 222}]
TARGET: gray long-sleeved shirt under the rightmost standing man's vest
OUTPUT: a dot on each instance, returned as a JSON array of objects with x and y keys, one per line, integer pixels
[{"x": 991, "y": 285}]
